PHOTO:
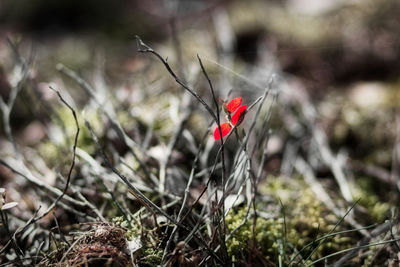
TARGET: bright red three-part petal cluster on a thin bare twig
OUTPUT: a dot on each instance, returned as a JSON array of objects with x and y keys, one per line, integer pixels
[{"x": 236, "y": 119}]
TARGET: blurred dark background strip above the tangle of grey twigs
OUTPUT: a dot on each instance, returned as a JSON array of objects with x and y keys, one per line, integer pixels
[{"x": 325, "y": 44}]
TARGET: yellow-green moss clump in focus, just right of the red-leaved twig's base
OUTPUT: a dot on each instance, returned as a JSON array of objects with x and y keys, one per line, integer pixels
[{"x": 306, "y": 219}]
